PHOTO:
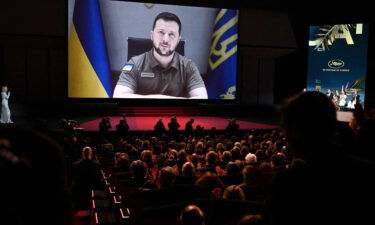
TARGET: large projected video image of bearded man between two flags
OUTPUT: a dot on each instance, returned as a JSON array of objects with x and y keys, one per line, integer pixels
[{"x": 120, "y": 49}]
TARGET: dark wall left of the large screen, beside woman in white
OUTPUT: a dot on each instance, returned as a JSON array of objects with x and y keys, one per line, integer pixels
[{"x": 32, "y": 40}]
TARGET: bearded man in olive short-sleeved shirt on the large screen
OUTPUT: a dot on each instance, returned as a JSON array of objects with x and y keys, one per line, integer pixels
[{"x": 161, "y": 72}]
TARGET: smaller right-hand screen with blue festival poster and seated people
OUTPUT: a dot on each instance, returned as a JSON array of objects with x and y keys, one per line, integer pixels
[{"x": 337, "y": 63}]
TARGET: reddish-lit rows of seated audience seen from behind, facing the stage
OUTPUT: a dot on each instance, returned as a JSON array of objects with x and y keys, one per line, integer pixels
[{"x": 170, "y": 171}]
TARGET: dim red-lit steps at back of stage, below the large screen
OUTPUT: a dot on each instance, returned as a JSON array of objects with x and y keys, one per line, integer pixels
[{"x": 158, "y": 111}]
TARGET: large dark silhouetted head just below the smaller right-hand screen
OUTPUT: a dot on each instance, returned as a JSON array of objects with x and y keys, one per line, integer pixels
[{"x": 309, "y": 121}]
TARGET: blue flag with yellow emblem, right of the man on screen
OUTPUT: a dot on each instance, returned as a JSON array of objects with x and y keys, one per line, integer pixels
[{"x": 222, "y": 64}]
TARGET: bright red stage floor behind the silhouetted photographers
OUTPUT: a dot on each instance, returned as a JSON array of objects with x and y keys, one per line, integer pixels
[{"x": 147, "y": 123}]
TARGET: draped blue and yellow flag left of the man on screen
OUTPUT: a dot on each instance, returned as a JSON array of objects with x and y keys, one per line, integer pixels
[{"x": 88, "y": 66}]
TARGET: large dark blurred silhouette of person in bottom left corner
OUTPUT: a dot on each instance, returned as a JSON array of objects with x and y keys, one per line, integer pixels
[{"x": 34, "y": 186}]
